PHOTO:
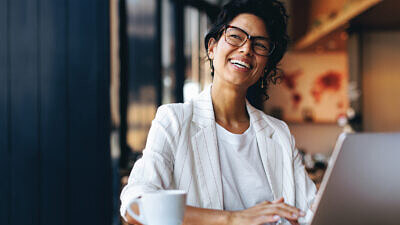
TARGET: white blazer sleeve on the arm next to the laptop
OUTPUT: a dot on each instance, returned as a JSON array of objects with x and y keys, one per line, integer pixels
[{"x": 304, "y": 186}]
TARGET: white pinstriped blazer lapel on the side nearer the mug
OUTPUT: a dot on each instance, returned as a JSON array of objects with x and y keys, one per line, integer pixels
[{"x": 205, "y": 148}]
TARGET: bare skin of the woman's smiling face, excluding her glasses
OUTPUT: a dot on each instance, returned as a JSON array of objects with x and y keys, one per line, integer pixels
[{"x": 239, "y": 66}]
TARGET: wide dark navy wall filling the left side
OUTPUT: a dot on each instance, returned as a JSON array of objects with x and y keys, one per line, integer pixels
[{"x": 54, "y": 112}]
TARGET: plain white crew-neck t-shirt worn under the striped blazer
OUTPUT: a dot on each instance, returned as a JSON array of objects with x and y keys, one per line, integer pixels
[{"x": 244, "y": 181}]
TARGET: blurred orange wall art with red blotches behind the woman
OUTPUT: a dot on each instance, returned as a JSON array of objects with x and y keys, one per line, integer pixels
[{"x": 314, "y": 88}]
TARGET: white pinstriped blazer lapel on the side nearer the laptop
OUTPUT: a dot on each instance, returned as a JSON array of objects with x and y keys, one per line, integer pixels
[{"x": 270, "y": 150}]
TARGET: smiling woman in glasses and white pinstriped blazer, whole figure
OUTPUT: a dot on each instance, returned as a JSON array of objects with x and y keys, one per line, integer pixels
[{"x": 238, "y": 165}]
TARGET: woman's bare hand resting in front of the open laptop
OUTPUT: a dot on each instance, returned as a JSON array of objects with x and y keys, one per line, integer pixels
[{"x": 266, "y": 212}]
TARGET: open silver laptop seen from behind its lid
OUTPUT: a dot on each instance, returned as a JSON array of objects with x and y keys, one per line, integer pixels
[{"x": 362, "y": 182}]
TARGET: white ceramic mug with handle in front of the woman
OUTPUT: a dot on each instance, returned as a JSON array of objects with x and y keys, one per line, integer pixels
[{"x": 164, "y": 207}]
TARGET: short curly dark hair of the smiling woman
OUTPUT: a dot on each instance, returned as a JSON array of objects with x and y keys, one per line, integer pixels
[{"x": 274, "y": 16}]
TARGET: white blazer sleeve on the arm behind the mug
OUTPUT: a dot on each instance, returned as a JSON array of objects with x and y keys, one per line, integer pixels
[{"x": 154, "y": 170}]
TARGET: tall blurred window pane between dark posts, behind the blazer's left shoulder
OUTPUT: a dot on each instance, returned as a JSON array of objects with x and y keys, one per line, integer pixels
[{"x": 140, "y": 73}]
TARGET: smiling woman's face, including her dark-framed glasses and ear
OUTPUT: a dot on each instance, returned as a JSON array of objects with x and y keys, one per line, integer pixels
[{"x": 239, "y": 64}]
